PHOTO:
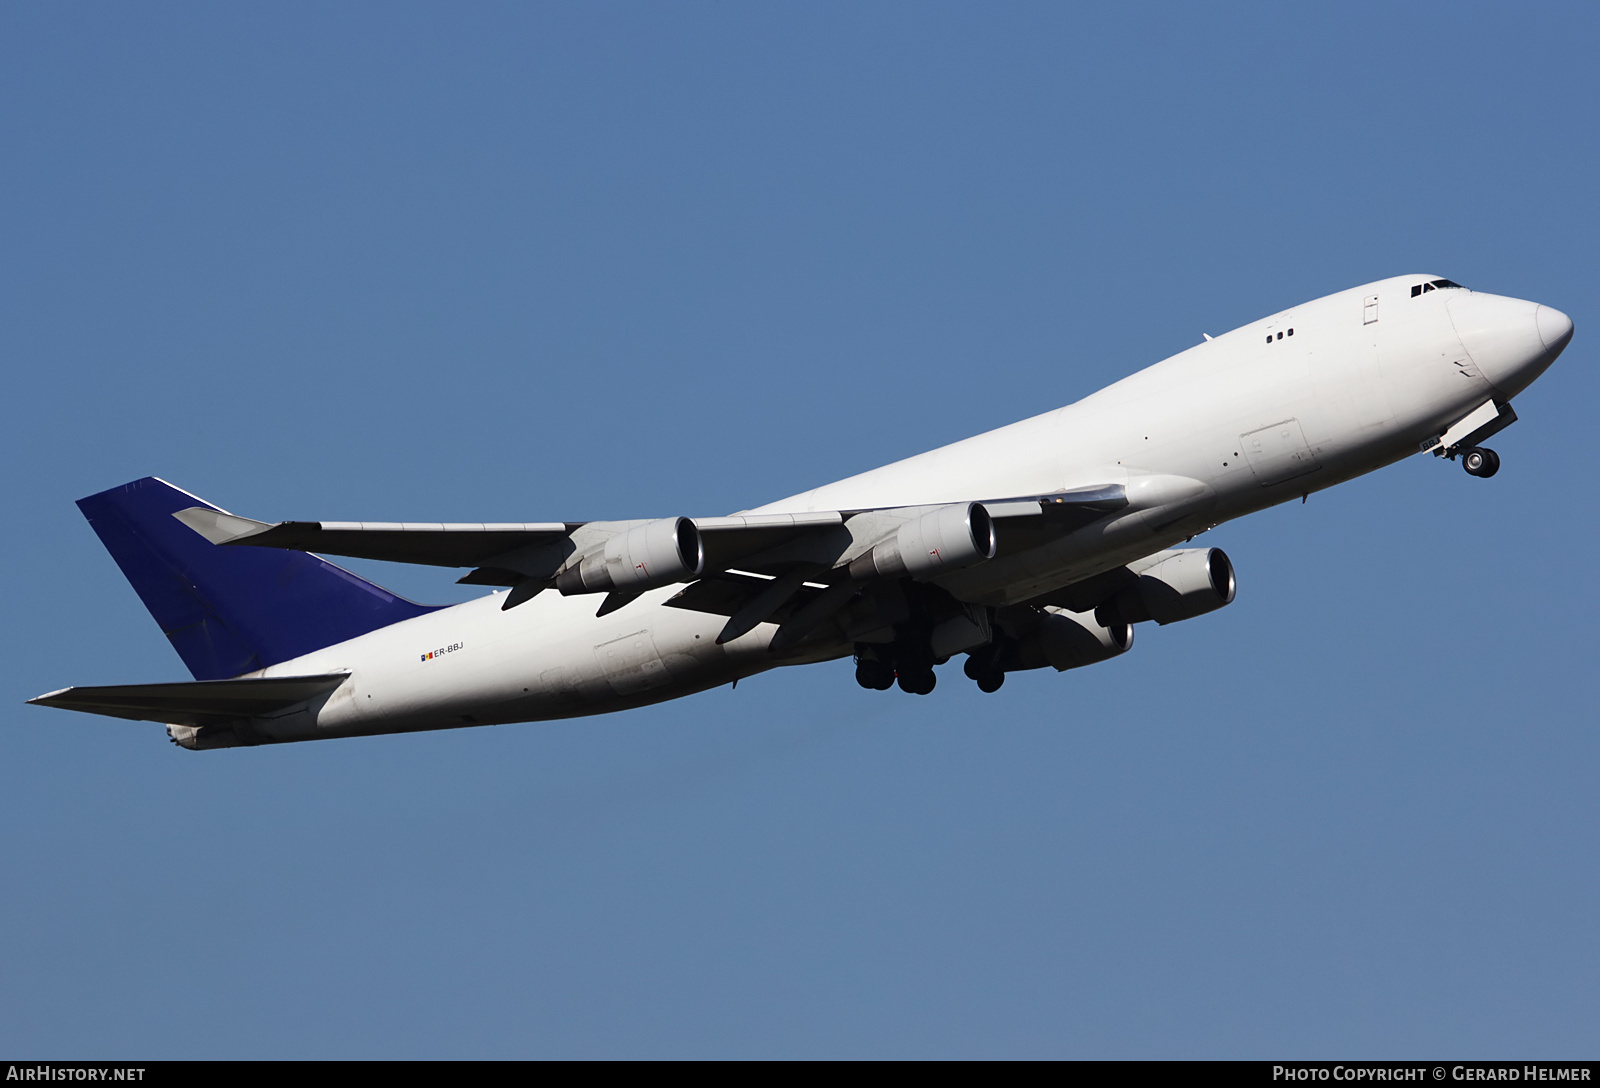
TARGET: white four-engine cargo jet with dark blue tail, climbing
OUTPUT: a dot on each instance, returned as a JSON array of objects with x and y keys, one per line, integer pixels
[{"x": 1039, "y": 545}]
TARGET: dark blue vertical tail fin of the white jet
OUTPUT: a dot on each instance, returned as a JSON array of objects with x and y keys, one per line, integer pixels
[{"x": 231, "y": 610}]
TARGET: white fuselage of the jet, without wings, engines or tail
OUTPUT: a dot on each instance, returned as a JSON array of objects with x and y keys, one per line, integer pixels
[{"x": 1231, "y": 426}]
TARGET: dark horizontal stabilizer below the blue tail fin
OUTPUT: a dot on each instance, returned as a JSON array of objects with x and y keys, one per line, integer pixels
[{"x": 194, "y": 703}]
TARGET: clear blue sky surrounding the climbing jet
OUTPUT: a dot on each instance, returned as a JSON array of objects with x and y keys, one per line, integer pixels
[{"x": 540, "y": 263}]
